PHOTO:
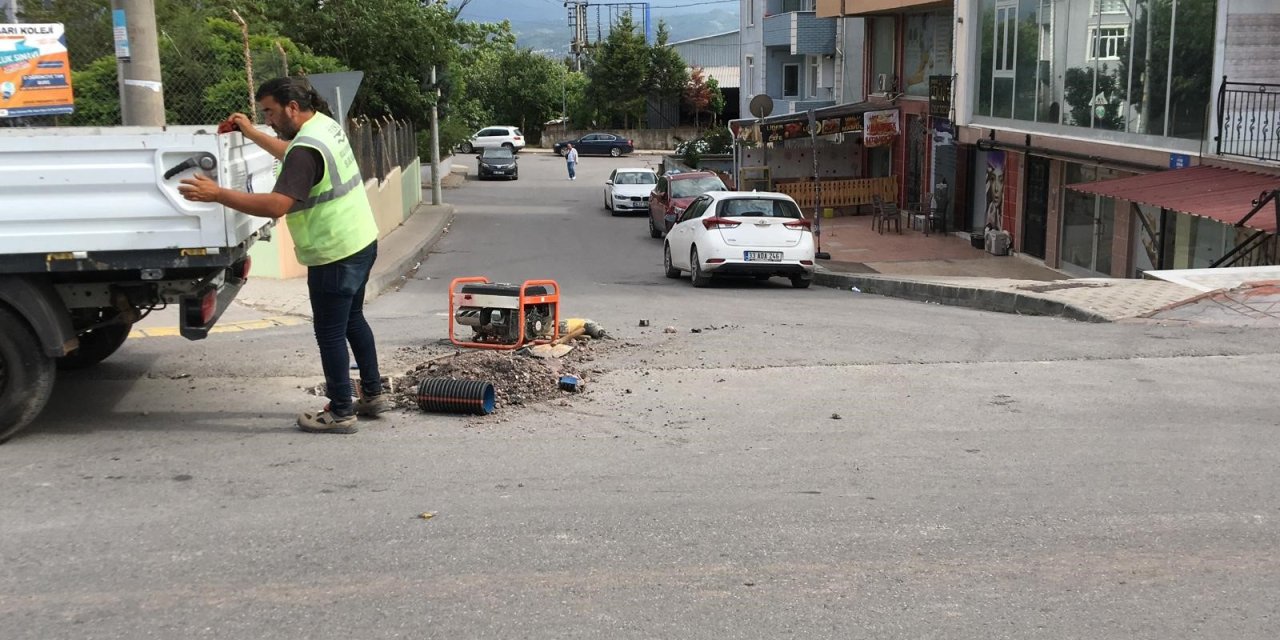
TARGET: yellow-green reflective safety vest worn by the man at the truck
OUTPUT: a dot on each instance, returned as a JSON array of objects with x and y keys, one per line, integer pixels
[{"x": 336, "y": 221}]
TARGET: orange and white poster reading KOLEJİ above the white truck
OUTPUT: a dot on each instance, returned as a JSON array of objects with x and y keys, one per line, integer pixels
[{"x": 35, "y": 71}]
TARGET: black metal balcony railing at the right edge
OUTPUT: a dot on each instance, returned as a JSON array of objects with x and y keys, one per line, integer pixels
[{"x": 1249, "y": 120}]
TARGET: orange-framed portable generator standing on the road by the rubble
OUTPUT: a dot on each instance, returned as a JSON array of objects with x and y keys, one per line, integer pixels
[{"x": 504, "y": 316}]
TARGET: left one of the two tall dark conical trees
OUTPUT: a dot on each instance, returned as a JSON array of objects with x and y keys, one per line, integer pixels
[{"x": 619, "y": 71}]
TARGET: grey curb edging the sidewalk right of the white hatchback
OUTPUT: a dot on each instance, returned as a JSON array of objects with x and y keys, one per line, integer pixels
[{"x": 958, "y": 296}]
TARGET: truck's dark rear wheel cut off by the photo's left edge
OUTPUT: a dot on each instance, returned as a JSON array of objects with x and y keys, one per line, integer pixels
[{"x": 26, "y": 374}]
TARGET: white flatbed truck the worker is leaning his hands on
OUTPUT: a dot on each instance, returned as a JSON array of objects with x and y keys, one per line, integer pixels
[{"x": 94, "y": 236}]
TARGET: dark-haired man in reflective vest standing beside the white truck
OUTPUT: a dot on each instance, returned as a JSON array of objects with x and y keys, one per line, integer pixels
[{"x": 322, "y": 196}]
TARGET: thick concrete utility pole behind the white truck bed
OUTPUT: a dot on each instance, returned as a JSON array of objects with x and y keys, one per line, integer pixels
[{"x": 139, "y": 63}]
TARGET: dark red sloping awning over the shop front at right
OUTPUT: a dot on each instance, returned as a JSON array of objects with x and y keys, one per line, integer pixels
[{"x": 1224, "y": 195}]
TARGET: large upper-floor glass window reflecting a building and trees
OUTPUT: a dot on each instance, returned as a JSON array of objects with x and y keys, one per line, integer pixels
[{"x": 1086, "y": 63}]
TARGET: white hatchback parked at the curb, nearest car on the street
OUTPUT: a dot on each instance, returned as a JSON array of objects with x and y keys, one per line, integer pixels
[{"x": 742, "y": 234}]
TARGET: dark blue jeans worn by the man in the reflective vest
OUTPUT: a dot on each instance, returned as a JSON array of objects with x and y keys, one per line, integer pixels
[{"x": 339, "y": 310}]
